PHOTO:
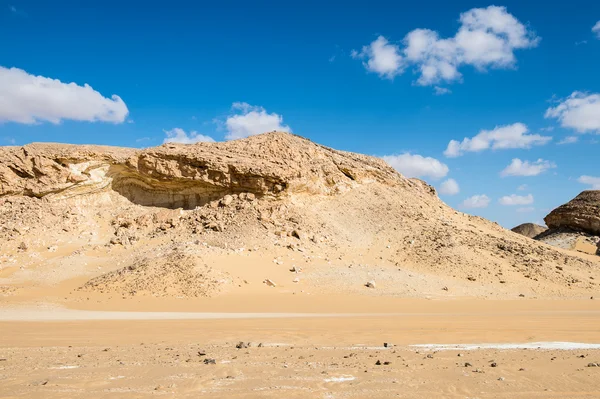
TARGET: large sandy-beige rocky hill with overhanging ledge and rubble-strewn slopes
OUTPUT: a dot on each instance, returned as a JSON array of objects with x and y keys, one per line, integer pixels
[{"x": 252, "y": 209}]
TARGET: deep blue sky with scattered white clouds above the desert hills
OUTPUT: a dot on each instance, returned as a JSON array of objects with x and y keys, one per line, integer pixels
[{"x": 497, "y": 105}]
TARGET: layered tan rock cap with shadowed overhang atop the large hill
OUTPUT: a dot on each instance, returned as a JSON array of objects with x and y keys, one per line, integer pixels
[{"x": 186, "y": 176}]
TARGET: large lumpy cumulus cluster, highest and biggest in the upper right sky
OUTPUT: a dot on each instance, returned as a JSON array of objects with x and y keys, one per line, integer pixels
[{"x": 486, "y": 38}]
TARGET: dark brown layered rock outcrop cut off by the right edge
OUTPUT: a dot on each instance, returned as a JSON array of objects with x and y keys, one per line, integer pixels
[{"x": 580, "y": 214}]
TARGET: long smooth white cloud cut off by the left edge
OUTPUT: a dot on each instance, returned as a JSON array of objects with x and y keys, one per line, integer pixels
[{"x": 30, "y": 99}]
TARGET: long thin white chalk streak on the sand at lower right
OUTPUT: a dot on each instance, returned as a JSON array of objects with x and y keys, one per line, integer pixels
[{"x": 509, "y": 346}]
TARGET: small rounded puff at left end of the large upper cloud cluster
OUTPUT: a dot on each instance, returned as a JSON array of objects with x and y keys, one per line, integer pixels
[{"x": 382, "y": 57}]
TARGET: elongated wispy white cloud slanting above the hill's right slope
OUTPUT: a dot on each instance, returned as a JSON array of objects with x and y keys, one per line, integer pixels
[{"x": 501, "y": 137}]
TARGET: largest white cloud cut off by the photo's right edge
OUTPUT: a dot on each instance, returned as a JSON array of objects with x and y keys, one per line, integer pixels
[{"x": 579, "y": 111}]
